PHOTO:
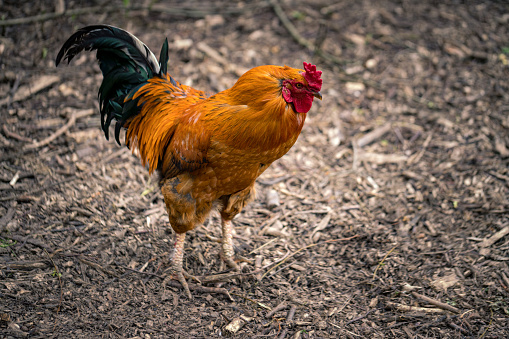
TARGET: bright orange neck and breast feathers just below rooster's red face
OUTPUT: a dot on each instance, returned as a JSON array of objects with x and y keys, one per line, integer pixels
[{"x": 254, "y": 113}]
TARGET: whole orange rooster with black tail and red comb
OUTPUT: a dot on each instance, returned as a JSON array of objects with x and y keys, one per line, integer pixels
[{"x": 208, "y": 150}]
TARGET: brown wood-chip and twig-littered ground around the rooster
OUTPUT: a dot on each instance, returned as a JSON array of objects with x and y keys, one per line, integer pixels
[{"x": 394, "y": 202}]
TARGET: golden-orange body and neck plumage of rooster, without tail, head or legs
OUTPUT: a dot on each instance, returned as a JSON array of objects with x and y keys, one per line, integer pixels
[{"x": 209, "y": 149}]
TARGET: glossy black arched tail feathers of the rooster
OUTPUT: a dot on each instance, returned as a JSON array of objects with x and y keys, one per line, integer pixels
[{"x": 126, "y": 64}]
